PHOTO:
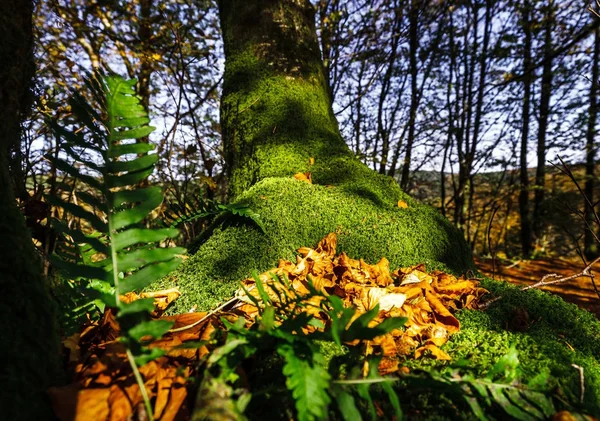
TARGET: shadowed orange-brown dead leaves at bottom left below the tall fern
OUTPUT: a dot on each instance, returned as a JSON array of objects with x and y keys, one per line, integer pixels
[{"x": 104, "y": 387}]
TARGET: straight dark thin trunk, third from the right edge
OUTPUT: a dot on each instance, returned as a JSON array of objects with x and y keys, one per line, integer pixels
[{"x": 524, "y": 176}]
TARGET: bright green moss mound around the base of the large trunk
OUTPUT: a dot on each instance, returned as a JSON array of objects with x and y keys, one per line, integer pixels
[{"x": 298, "y": 214}]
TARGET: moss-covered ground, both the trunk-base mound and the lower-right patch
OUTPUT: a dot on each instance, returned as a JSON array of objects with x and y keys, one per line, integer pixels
[{"x": 364, "y": 213}]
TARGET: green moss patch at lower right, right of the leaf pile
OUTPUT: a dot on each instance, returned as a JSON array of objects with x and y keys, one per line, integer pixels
[{"x": 560, "y": 334}]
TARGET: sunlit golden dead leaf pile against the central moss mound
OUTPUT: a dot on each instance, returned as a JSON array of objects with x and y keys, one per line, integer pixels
[{"x": 426, "y": 299}]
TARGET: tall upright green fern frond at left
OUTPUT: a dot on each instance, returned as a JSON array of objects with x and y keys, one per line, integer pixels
[{"x": 104, "y": 152}]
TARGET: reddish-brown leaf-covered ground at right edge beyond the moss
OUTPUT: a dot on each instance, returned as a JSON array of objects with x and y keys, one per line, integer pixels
[{"x": 579, "y": 291}]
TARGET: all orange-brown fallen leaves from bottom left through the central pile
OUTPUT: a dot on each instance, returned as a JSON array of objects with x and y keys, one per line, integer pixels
[{"x": 103, "y": 386}]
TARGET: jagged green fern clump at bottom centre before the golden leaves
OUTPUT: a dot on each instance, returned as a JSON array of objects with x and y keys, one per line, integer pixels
[{"x": 283, "y": 328}]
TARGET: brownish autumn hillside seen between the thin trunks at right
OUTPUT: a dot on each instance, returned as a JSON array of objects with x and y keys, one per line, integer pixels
[{"x": 494, "y": 222}]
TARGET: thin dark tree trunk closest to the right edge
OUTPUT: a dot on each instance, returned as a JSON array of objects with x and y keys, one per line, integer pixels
[{"x": 589, "y": 240}]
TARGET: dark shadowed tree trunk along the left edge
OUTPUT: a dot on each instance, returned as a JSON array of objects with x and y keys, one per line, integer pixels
[{"x": 29, "y": 348}]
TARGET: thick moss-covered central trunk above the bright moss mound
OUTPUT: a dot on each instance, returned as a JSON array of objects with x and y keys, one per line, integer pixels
[{"x": 273, "y": 67}]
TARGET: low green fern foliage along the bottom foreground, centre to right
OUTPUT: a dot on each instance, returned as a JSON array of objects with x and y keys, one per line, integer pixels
[{"x": 284, "y": 329}]
